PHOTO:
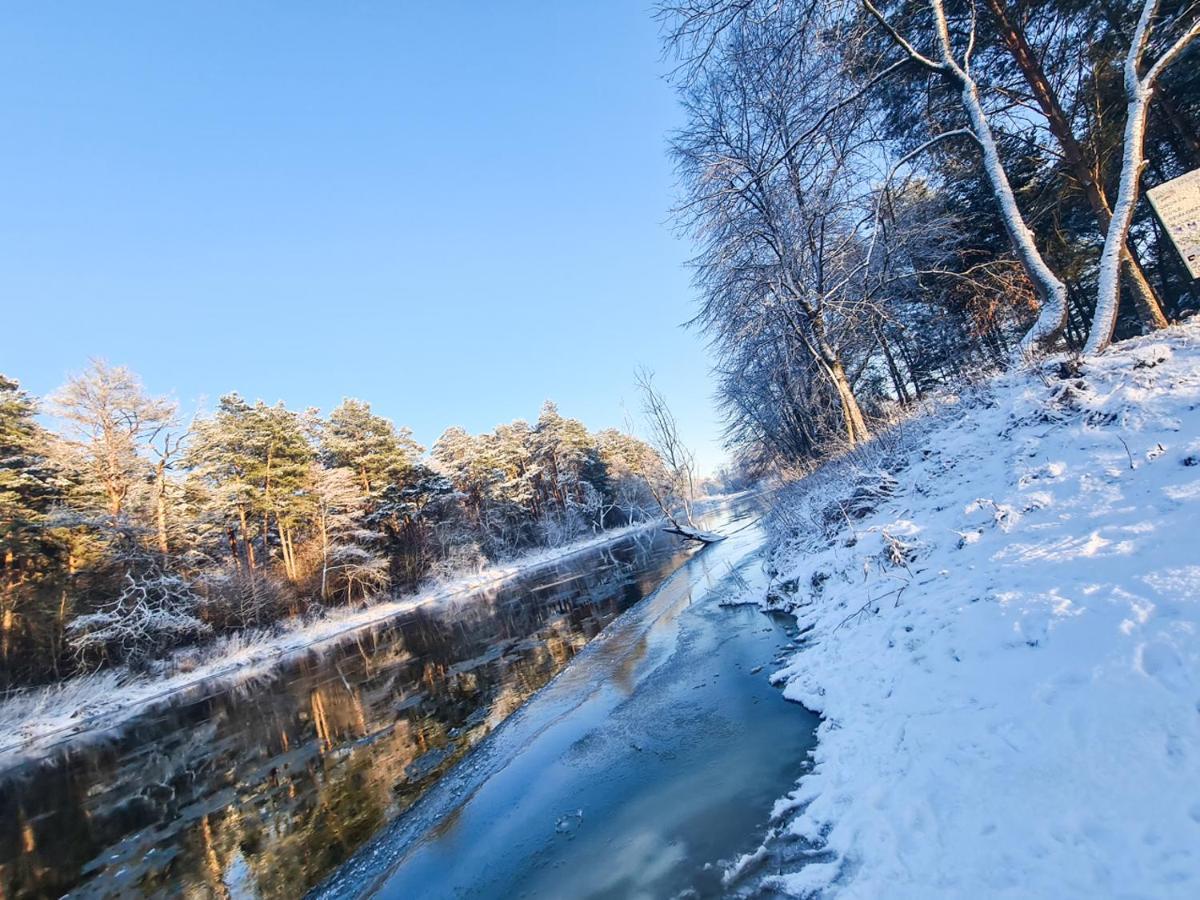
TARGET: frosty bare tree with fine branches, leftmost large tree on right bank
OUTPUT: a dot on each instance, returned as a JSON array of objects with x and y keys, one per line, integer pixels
[{"x": 778, "y": 211}]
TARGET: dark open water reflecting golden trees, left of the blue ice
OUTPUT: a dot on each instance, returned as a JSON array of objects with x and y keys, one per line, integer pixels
[{"x": 263, "y": 790}]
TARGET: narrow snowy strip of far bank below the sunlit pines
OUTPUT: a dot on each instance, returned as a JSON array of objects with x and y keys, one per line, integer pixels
[{"x": 35, "y": 723}]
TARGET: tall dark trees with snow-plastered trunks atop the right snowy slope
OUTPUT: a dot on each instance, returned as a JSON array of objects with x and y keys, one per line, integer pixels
[{"x": 890, "y": 196}]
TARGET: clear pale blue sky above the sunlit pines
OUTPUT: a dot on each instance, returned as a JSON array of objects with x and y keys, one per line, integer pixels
[{"x": 453, "y": 211}]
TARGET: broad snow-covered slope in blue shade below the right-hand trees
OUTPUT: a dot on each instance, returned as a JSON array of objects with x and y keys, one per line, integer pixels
[{"x": 1001, "y": 615}]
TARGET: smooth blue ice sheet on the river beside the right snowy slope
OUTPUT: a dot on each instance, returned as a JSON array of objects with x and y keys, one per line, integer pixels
[{"x": 641, "y": 772}]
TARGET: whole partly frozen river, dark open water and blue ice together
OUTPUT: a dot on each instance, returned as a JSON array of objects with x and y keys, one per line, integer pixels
[{"x": 429, "y": 758}]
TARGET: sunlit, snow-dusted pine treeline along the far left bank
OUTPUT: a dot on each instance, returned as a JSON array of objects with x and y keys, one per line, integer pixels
[{"x": 131, "y": 533}]
